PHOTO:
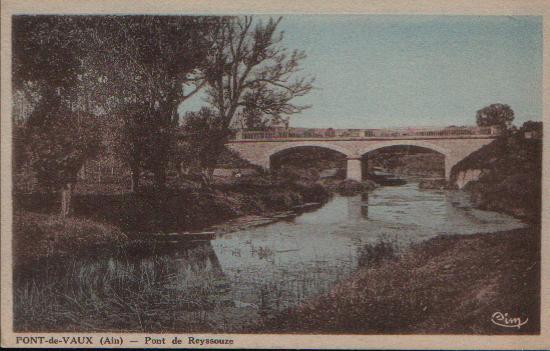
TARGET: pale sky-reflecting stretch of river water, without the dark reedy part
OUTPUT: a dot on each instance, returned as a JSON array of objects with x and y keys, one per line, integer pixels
[{"x": 292, "y": 260}]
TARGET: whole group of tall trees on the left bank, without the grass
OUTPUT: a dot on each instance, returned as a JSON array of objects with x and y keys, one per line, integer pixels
[{"x": 115, "y": 95}]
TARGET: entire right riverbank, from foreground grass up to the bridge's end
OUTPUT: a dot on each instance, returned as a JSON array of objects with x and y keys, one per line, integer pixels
[{"x": 450, "y": 284}]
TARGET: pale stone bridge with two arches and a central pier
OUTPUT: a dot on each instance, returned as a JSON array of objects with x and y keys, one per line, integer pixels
[{"x": 453, "y": 143}]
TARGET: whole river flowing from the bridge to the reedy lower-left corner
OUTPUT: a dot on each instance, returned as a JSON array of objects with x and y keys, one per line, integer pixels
[{"x": 234, "y": 281}]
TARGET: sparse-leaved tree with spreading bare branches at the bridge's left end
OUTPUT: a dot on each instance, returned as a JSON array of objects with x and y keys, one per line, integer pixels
[{"x": 249, "y": 71}]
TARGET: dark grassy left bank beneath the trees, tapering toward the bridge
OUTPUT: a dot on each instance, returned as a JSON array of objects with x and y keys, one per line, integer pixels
[{"x": 107, "y": 220}]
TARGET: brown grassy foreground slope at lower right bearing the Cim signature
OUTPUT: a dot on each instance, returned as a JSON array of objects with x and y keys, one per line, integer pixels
[{"x": 449, "y": 284}]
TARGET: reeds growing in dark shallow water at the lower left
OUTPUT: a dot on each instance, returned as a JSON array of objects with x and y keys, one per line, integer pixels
[{"x": 120, "y": 296}]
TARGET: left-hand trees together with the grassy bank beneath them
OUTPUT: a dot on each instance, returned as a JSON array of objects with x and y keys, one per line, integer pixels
[{"x": 99, "y": 138}]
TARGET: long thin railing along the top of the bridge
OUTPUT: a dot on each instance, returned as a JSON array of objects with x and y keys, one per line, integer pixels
[{"x": 366, "y": 133}]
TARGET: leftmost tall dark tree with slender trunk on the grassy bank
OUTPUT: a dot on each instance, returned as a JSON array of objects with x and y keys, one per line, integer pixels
[{"x": 47, "y": 65}]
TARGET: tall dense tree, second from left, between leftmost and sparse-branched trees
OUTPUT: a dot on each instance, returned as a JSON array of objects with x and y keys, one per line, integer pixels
[{"x": 151, "y": 65}]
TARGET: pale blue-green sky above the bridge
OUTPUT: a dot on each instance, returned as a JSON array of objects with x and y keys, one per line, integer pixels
[{"x": 376, "y": 71}]
